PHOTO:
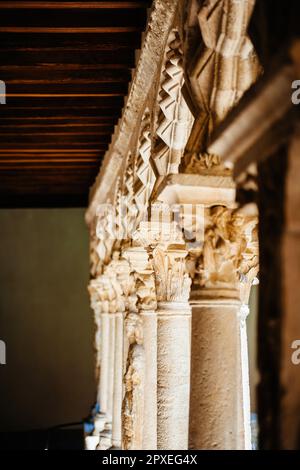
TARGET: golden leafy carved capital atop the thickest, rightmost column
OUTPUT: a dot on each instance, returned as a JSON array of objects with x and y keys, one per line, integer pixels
[{"x": 228, "y": 260}]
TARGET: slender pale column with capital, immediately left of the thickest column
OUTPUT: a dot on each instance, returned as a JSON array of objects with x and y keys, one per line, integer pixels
[{"x": 168, "y": 254}]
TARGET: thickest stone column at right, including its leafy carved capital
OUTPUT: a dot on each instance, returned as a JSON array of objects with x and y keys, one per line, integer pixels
[{"x": 220, "y": 406}]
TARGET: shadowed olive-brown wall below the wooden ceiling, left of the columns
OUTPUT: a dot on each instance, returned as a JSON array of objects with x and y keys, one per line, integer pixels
[{"x": 45, "y": 319}]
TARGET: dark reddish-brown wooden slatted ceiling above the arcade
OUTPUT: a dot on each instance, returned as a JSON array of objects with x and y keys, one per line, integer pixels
[{"x": 67, "y": 66}]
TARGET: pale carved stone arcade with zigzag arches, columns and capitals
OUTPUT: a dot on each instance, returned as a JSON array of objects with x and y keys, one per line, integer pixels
[{"x": 174, "y": 251}]
